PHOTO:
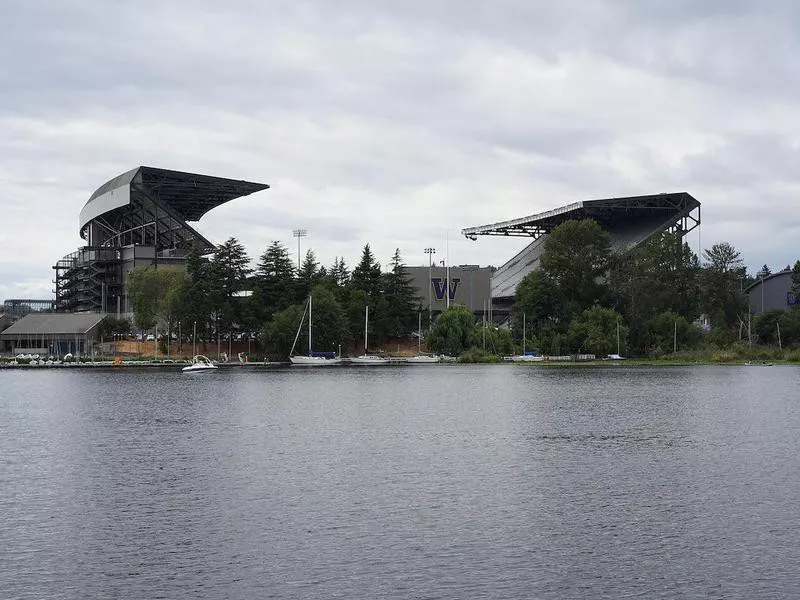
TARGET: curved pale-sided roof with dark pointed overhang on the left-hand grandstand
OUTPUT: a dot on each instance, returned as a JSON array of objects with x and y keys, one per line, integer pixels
[{"x": 151, "y": 206}]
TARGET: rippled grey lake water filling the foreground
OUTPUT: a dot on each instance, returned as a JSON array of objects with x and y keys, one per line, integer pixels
[{"x": 450, "y": 481}]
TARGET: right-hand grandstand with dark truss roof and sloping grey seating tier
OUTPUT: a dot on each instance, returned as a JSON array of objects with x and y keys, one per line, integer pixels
[{"x": 630, "y": 221}]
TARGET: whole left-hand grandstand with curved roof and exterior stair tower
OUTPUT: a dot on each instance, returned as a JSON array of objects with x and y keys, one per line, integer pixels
[{"x": 139, "y": 218}]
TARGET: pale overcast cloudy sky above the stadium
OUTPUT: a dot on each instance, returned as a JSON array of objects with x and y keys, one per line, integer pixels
[{"x": 400, "y": 123}]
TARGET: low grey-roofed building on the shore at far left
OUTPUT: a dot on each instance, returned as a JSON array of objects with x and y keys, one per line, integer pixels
[{"x": 52, "y": 334}]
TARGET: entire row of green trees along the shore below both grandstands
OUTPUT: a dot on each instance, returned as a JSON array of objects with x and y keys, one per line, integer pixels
[{"x": 585, "y": 297}]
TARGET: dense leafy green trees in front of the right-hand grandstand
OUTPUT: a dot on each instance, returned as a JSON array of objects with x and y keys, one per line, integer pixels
[{"x": 649, "y": 301}]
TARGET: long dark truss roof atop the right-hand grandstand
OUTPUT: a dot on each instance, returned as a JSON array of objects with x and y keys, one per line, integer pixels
[{"x": 671, "y": 206}]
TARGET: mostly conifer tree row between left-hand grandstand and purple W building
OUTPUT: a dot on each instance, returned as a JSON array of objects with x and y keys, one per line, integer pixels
[{"x": 209, "y": 298}]
